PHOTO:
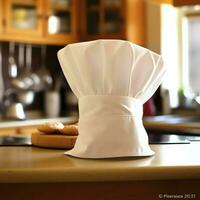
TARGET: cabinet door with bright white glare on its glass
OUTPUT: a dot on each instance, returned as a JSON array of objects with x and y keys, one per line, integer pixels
[{"x": 60, "y": 21}]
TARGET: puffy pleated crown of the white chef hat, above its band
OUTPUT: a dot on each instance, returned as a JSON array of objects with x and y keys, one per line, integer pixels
[{"x": 111, "y": 67}]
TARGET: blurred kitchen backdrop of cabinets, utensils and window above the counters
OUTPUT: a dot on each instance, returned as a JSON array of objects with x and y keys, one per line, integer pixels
[{"x": 32, "y": 31}]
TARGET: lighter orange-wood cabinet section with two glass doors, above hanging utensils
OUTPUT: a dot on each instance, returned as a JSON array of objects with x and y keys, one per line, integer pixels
[{"x": 38, "y": 21}]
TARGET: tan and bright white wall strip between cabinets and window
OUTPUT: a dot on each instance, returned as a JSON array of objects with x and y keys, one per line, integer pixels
[{"x": 163, "y": 35}]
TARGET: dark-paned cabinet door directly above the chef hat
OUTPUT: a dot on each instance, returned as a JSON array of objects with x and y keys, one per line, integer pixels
[{"x": 104, "y": 19}]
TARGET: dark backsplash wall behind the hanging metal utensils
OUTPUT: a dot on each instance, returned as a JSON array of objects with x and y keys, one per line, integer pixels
[{"x": 59, "y": 85}]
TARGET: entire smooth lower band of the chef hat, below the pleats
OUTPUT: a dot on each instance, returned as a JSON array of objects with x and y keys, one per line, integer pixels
[{"x": 110, "y": 126}]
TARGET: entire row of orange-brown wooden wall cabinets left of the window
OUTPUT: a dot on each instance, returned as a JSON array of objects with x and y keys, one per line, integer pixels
[{"x": 58, "y": 22}]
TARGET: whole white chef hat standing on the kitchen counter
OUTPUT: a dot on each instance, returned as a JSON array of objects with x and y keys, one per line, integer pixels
[{"x": 112, "y": 80}]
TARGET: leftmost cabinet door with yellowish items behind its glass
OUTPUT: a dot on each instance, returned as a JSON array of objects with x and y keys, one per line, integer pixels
[{"x": 23, "y": 17}]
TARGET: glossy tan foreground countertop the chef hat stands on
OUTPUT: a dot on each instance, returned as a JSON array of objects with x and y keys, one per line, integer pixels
[{"x": 33, "y": 165}]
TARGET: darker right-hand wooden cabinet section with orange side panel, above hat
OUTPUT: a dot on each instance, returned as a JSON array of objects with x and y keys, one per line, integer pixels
[{"x": 113, "y": 19}]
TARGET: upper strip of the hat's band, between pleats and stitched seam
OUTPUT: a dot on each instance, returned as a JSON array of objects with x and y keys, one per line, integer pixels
[{"x": 100, "y": 106}]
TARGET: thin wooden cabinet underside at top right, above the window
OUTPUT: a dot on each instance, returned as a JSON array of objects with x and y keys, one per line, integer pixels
[{"x": 177, "y": 2}]
